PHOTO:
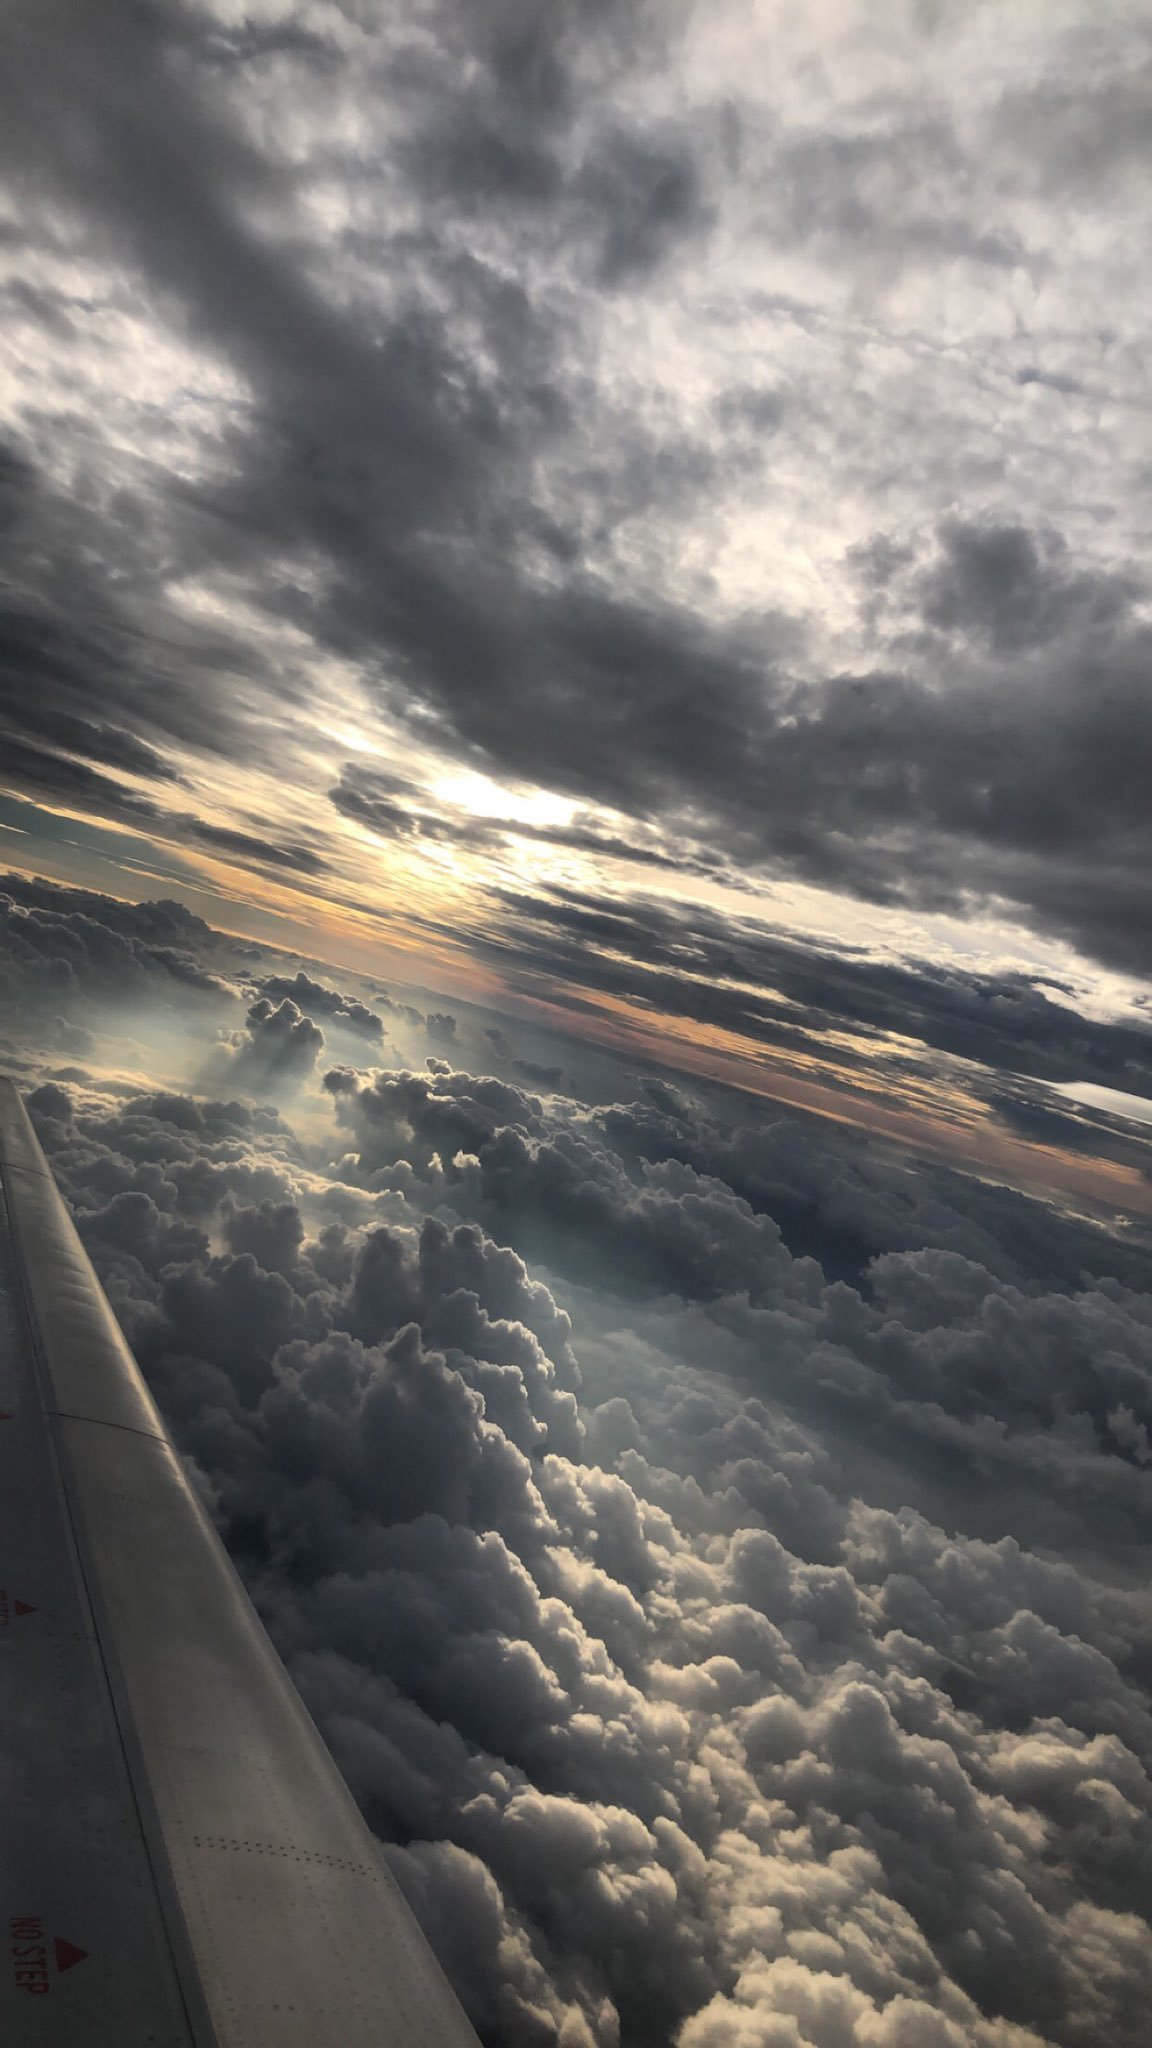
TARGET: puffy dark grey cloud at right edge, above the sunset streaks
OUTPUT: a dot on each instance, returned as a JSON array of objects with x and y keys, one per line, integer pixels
[{"x": 1020, "y": 781}]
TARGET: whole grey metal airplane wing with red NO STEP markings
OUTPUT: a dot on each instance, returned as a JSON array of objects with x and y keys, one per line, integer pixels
[{"x": 181, "y": 1865}]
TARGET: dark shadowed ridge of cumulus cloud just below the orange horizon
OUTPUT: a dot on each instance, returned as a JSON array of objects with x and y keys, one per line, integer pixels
[{"x": 612, "y": 1183}]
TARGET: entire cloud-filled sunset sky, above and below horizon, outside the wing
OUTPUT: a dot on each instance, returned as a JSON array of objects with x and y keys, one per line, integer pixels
[{"x": 575, "y": 755}]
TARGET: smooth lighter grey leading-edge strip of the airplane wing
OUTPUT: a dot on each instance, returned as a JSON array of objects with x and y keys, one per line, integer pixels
[{"x": 282, "y": 1922}]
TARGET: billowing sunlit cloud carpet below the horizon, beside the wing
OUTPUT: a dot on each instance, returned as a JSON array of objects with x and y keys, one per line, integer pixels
[{"x": 671, "y": 1715}]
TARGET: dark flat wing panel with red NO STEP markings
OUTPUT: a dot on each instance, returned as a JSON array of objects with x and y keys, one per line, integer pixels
[{"x": 85, "y": 1951}]
